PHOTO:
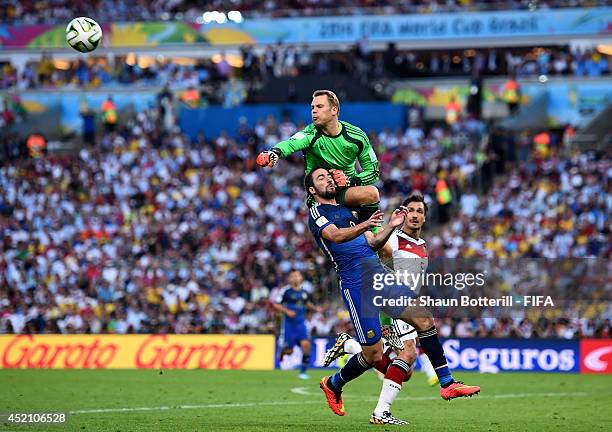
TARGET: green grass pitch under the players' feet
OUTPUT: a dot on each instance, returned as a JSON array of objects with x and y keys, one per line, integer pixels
[{"x": 204, "y": 400}]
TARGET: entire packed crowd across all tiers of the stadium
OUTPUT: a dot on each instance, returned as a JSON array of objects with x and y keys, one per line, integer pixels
[{"x": 145, "y": 230}]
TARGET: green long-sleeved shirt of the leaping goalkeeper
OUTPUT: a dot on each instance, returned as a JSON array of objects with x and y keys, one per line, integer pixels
[{"x": 338, "y": 152}]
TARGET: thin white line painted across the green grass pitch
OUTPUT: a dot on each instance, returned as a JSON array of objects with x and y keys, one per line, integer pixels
[{"x": 303, "y": 391}]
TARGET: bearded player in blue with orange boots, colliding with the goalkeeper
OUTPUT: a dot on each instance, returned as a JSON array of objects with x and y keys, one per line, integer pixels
[{"x": 352, "y": 248}]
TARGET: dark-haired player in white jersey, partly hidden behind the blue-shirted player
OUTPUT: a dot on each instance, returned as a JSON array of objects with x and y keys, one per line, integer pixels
[{"x": 409, "y": 253}]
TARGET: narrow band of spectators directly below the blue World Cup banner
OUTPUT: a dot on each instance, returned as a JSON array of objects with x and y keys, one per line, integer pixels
[{"x": 279, "y": 60}]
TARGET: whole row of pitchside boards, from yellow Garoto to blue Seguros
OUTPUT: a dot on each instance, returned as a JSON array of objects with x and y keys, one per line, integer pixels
[{"x": 256, "y": 352}]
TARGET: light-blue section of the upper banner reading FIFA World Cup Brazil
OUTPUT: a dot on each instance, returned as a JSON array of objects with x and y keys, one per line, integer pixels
[{"x": 406, "y": 28}]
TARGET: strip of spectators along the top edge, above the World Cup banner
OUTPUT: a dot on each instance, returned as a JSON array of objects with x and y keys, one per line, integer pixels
[{"x": 58, "y": 11}]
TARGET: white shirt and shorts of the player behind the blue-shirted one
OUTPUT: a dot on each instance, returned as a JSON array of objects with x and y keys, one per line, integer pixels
[{"x": 409, "y": 255}]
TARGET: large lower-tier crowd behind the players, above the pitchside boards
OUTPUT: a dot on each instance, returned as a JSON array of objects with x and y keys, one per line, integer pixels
[{"x": 148, "y": 231}]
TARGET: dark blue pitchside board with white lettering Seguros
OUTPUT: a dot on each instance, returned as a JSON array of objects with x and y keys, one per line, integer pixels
[{"x": 483, "y": 355}]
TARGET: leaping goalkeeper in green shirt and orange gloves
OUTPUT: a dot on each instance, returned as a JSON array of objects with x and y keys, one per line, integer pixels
[{"x": 334, "y": 145}]
